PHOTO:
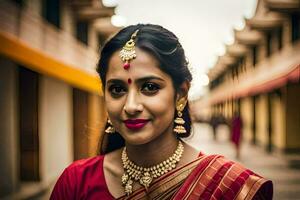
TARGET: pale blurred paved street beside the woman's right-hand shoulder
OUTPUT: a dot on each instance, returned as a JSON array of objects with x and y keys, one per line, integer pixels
[{"x": 283, "y": 170}]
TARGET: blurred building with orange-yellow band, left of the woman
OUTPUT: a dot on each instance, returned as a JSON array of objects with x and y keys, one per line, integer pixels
[{"x": 51, "y": 102}]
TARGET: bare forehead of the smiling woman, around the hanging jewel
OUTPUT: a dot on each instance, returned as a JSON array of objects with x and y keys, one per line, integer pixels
[{"x": 143, "y": 65}]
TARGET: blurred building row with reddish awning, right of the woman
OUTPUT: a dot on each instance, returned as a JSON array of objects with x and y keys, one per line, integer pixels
[{"x": 259, "y": 77}]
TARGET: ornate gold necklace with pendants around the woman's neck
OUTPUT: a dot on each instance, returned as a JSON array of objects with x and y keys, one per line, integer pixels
[{"x": 143, "y": 175}]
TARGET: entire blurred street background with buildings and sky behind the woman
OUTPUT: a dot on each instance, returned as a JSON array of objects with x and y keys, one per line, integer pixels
[{"x": 245, "y": 60}]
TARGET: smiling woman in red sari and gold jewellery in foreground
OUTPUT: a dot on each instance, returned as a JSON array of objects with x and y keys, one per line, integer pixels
[{"x": 145, "y": 79}]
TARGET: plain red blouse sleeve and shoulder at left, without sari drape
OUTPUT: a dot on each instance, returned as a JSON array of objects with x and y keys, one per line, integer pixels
[{"x": 83, "y": 179}]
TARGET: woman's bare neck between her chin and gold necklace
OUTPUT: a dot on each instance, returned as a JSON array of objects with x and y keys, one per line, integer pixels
[{"x": 146, "y": 155}]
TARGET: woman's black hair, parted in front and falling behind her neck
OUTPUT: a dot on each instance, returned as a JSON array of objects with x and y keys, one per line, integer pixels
[{"x": 165, "y": 47}]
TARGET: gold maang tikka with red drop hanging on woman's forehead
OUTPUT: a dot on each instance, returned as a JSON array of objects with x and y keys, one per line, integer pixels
[{"x": 128, "y": 51}]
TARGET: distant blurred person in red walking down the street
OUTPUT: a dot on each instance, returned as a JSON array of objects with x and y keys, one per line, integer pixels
[{"x": 236, "y": 132}]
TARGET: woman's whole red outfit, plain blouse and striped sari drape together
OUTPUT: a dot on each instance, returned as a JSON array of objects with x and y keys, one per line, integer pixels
[{"x": 207, "y": 177}]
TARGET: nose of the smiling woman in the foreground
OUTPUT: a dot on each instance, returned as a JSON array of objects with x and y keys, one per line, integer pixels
[{"x": 133, "y": 104}]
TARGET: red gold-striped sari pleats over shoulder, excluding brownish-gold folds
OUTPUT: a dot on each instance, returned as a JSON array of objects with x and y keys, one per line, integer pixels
[{"x": 218, "y": 178}]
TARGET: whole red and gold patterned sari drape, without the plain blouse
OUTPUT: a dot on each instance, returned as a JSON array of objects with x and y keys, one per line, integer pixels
[{"x": 207, "y": 177}]
